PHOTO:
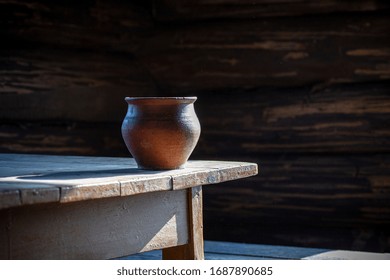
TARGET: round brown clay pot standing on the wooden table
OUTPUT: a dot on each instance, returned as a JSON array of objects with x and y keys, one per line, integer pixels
[{"x": 160, "y": 132}]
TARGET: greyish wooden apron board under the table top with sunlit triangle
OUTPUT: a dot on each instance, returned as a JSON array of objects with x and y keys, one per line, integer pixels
[{"x": 97, "y": 229}]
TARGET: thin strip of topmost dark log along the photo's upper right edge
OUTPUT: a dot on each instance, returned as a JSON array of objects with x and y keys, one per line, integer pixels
[{"x": 185, "y": 10}]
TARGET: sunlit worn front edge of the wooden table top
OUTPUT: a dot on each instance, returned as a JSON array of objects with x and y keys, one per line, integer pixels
[{"x": 221, "y": 171}]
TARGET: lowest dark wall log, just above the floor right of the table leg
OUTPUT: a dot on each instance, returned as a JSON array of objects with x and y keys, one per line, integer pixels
[{"x": 308, "y": 236}]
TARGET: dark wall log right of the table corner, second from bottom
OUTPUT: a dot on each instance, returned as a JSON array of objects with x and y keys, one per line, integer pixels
[{"x": 328, "y": 190}]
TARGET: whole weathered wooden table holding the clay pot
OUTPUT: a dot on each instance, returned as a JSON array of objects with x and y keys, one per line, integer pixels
[{"x": 68, "y": 207}]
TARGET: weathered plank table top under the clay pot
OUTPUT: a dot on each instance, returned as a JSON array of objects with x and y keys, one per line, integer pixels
[{"x": 32, "y": 179}]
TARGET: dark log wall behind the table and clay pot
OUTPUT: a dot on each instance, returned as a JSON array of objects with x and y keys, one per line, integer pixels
[{"x": 299, "y": 87}]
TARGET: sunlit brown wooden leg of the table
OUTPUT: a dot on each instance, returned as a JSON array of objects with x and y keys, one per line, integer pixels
[{"x": 194, "y": 249}]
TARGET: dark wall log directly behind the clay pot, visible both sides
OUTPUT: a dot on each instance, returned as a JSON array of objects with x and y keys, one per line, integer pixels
[{"x": 341, "y": 119}]
